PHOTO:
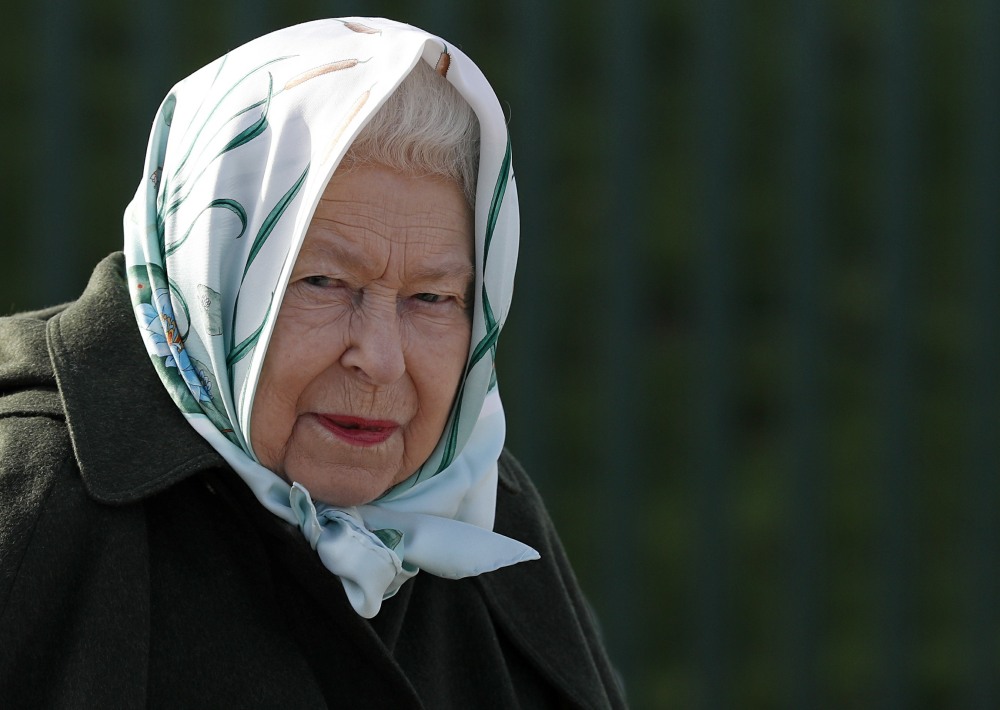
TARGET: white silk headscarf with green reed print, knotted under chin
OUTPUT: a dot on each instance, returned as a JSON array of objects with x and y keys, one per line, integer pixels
[{"x": 239, "y": 154}]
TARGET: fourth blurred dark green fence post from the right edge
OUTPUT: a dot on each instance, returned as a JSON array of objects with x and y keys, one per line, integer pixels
[{"x": 712, "y": 473}]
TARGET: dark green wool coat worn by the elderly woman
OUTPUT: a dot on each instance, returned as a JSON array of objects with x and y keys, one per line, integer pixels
[{"x": 136, "y": 569}]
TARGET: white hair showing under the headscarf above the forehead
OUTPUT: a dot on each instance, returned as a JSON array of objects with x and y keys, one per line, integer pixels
[{"x": 424, "y": 128}]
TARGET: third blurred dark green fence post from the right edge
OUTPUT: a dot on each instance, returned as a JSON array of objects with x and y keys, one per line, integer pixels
[{"x": 807, "y": 197}]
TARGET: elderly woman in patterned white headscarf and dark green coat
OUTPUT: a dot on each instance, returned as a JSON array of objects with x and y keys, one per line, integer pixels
[{"x": 259, "y": 463}]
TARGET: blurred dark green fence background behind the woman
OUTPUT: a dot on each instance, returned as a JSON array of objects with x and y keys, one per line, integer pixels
[{"x": 752, "y": 357}]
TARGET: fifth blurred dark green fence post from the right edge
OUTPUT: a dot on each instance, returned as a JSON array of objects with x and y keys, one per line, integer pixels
[{"x": 619, "y": 245}]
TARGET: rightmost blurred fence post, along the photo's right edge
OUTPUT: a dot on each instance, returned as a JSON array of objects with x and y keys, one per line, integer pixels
[{"x": 983, "y": 487}]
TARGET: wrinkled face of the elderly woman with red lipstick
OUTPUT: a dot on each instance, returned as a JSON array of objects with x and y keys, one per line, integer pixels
[{"x": 371, "y": 339}]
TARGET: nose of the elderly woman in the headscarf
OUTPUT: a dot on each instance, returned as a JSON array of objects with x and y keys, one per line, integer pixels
[{"x": 375, "y": 350}]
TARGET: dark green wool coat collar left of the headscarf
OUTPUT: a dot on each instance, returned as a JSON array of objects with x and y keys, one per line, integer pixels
[{"x": 130, "y": 439}]
